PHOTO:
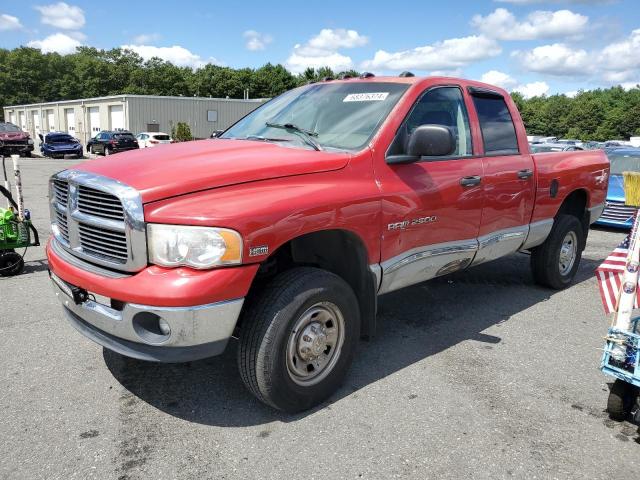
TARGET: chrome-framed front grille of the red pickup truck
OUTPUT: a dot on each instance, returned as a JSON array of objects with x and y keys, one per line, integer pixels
[{"x": 92, "y": 222}]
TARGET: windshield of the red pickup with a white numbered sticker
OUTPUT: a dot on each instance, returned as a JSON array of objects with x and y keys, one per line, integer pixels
[{"x": 339, "y": 115}]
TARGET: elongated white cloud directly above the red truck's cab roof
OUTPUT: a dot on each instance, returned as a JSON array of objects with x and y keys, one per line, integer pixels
[{"x": 446, "y": 55}]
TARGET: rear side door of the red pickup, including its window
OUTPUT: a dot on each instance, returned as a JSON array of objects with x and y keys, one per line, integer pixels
[{"x": 509, "y": 177}]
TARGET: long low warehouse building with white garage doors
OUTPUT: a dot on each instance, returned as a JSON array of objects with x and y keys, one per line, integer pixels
[{"x": 86, "y": 117}]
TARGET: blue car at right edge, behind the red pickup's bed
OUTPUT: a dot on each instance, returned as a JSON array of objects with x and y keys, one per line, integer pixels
[{"x": 616, "y": 214}]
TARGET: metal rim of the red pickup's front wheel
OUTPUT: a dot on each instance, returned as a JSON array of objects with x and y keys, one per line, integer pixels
[{"x": 315, "y": 343}]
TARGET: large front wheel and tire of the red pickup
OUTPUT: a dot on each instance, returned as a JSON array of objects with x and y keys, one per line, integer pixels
[{"x": 298, "y": 338}]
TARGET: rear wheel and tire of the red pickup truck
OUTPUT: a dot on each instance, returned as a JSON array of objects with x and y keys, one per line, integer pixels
[{"x": 556, "y": 261}]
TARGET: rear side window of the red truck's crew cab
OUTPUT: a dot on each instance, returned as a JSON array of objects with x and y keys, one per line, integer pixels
[{"x": 498, "y": 131}]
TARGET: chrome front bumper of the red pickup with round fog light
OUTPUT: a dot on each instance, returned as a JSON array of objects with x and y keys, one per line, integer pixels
[{"x": 193, "y": 332}]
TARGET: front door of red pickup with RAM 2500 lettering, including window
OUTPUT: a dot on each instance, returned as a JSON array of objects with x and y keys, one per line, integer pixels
[{"x": 431, "y": 208}]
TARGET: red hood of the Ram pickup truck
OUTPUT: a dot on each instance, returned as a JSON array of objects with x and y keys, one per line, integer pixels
[{"x": 170, "y": 170}]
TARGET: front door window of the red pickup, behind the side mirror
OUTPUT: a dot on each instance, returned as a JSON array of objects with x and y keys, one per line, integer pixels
[{"x": 443, "y": 106}]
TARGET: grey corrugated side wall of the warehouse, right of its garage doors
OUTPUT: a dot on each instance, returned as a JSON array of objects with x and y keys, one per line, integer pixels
[{"x": 168, "y": 111}]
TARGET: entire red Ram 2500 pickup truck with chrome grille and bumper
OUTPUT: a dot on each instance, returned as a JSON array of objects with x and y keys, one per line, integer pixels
[{"x": 285, "y": 229}]
